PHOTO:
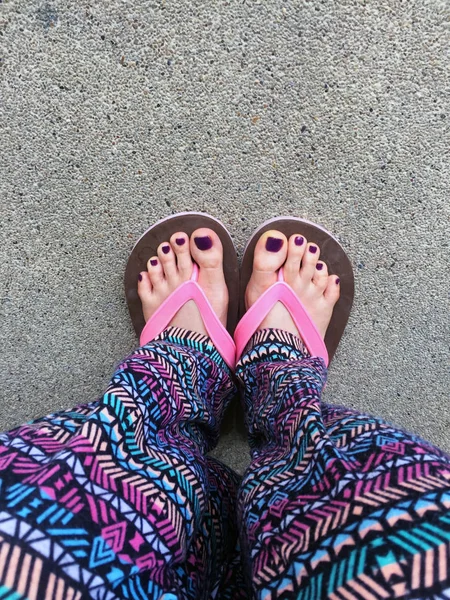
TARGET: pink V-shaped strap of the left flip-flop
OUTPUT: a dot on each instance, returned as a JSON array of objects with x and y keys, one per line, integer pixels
[{"x": 190, "y": 290}]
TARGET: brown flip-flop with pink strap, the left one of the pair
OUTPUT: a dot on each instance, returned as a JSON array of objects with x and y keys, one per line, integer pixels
[{"x": 147, "y": 246}]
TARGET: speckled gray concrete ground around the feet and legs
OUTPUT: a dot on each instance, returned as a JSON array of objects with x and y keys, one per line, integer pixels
[{"x": 115, "y": 114}]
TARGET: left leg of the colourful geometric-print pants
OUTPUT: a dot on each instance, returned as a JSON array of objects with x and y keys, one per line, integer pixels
[{"x": 116, "y": 499}]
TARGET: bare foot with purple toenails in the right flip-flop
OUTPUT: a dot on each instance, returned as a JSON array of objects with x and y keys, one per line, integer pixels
[{"x": 303, "y": 271}]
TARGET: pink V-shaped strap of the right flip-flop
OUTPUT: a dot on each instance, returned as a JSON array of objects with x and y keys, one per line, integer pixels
[{"x": 280, "y": 292}]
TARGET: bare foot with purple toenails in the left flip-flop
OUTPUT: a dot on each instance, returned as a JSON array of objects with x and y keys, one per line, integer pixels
[{"x": 173, "y": 266}]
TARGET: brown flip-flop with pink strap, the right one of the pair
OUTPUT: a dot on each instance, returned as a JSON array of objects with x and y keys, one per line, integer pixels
[{"x": 332, "y": 253}]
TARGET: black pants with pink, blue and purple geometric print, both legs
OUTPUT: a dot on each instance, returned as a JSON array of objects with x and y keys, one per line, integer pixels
[{"x": 119, "y": 499}]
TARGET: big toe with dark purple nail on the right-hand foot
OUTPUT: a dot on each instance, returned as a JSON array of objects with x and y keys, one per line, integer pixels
[{"x": 270, "y": 255}]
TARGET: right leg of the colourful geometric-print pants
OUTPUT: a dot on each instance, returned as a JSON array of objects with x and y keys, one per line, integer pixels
[{"x": 336, "y": 504}]
